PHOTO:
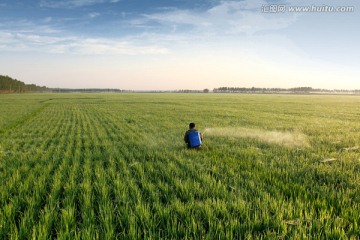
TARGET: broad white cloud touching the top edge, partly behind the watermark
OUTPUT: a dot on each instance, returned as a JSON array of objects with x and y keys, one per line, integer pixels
[{"x": 229, "y": 17}]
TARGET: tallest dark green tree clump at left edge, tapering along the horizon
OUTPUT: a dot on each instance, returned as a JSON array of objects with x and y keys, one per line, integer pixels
[{"x": 10, "y": 85}]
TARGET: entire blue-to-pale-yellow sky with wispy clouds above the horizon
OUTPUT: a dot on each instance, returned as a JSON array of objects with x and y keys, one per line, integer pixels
[{"x": 181, "y": 44}]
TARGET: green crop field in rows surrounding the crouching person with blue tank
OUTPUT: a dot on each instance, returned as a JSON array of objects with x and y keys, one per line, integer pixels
[{"x": 114, "y": 166}]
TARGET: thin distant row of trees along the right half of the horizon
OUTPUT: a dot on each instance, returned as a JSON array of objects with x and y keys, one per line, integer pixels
[{"x": 297, "y": 90}]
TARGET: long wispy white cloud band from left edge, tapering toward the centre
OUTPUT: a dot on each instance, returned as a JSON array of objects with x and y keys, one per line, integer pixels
[{"x": 27, "y": 36}]
